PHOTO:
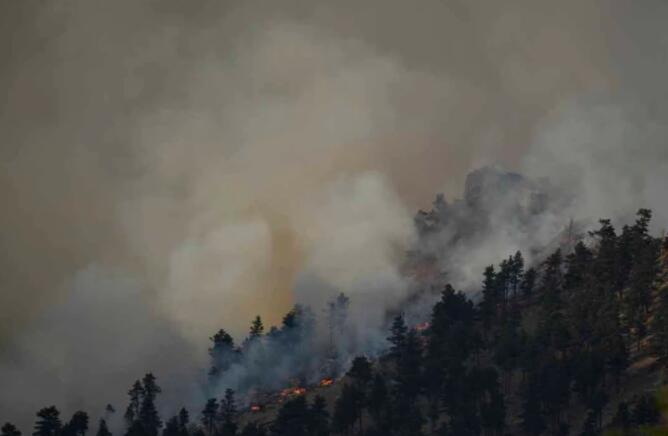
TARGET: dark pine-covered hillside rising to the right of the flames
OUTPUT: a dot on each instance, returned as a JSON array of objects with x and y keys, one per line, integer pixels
[{"x": 548, "y": 357}]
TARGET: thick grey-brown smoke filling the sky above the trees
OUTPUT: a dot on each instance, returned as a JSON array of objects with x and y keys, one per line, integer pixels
[{"x": 173, "y": 167}]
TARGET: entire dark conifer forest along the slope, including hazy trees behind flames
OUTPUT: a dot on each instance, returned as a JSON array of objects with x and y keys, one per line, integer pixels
[{"x": 573, "y": 344}]
